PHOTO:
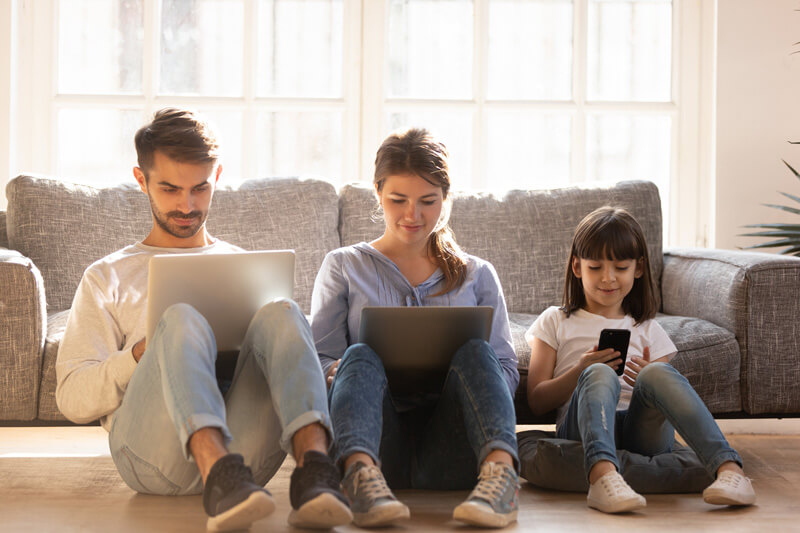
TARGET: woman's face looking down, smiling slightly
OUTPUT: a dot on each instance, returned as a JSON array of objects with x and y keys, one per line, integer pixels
[{"x": 411, "y": 207}]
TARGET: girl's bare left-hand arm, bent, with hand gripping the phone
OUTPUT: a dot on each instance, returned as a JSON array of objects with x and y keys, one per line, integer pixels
[{"x": 545, "y": 392}]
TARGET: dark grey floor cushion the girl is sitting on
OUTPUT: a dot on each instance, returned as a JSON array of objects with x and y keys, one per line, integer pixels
[{"x": 552, "y": 463}]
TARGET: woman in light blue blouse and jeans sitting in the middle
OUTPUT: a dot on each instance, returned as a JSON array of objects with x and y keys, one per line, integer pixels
[{"x": 452, "y": 439}]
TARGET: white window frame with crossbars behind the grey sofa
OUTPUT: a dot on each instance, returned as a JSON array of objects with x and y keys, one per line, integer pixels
[{"x": 35, "y": 102}]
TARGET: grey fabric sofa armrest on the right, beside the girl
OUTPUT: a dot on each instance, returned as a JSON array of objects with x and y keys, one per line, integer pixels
[{"x": 757, "y": 297}]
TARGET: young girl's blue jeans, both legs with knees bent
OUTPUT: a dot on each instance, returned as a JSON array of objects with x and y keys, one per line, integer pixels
[{"x": 663, "y": 401}]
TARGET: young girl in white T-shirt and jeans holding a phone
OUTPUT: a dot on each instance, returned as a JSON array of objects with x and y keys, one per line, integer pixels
[{"x": 608, "y": 285}]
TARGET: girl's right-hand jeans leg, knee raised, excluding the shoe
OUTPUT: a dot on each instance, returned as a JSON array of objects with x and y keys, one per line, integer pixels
[{"x": 663, "y": 399}]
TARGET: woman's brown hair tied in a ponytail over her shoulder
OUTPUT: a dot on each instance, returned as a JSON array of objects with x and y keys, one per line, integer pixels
[{"x": 417, "y": 152}]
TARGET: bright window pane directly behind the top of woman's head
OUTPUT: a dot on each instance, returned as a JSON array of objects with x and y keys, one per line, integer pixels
[{"x": 453, "y": 129}]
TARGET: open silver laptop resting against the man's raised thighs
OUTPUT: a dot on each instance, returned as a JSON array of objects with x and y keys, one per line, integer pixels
[{"x": 227, "y": 289}]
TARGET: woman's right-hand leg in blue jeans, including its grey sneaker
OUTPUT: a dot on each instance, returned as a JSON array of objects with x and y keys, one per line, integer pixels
[{"x": 473, "y": 421}]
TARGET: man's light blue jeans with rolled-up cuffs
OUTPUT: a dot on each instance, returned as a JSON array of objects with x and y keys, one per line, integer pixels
[{"x": 277, "y": 388}]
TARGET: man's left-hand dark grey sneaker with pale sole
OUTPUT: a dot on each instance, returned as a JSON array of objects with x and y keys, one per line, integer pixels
[{"x": 231, "y": 497}]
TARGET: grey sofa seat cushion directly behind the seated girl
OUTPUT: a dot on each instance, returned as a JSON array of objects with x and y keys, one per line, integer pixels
[{"x": 708, "y": 355}]
